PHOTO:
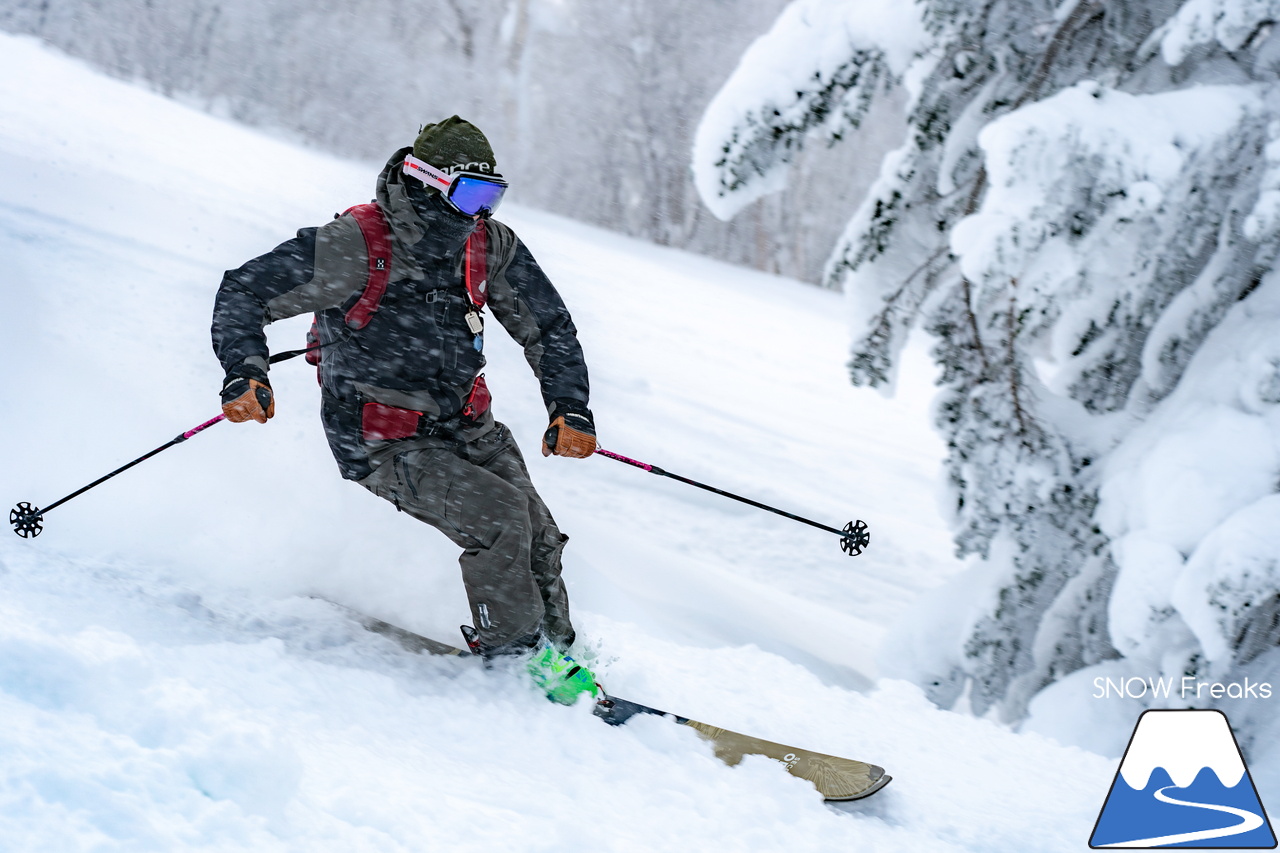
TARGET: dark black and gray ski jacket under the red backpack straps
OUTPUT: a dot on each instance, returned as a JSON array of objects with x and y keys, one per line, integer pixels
[{"x": 417, "y": 353}]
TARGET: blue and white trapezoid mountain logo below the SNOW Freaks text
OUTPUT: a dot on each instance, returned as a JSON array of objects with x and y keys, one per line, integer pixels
[{"x": 1183, "y": 783}]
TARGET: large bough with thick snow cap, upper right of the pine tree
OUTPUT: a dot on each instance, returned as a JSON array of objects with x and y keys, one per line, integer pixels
[{"x": 1081, "y": 209}]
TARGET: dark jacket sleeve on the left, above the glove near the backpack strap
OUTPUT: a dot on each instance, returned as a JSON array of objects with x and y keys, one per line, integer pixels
[{"x": 282, "y": 284}]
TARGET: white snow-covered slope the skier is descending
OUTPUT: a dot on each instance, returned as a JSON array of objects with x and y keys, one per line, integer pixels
[{"x": 167, "y": 683}]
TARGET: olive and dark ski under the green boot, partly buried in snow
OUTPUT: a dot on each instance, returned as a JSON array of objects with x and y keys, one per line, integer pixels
[{"x": 835, "y": 778}]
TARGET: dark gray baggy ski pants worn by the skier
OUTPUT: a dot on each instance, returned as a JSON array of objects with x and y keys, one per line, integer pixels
[{"x": 478, "y": 494}]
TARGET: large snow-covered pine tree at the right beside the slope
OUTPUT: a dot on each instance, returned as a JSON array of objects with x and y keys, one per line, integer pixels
[{"x": 1085, "y": 217}]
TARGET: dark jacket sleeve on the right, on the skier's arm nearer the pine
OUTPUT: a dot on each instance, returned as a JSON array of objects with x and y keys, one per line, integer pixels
[{"x": 527, "y": 304}]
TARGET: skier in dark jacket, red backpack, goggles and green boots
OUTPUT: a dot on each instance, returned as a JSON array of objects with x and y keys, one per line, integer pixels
[{"x": 399, "y": 290}]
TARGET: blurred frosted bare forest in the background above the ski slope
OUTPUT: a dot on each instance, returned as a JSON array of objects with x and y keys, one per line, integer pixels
[{"x": 566, "y": 90}]
